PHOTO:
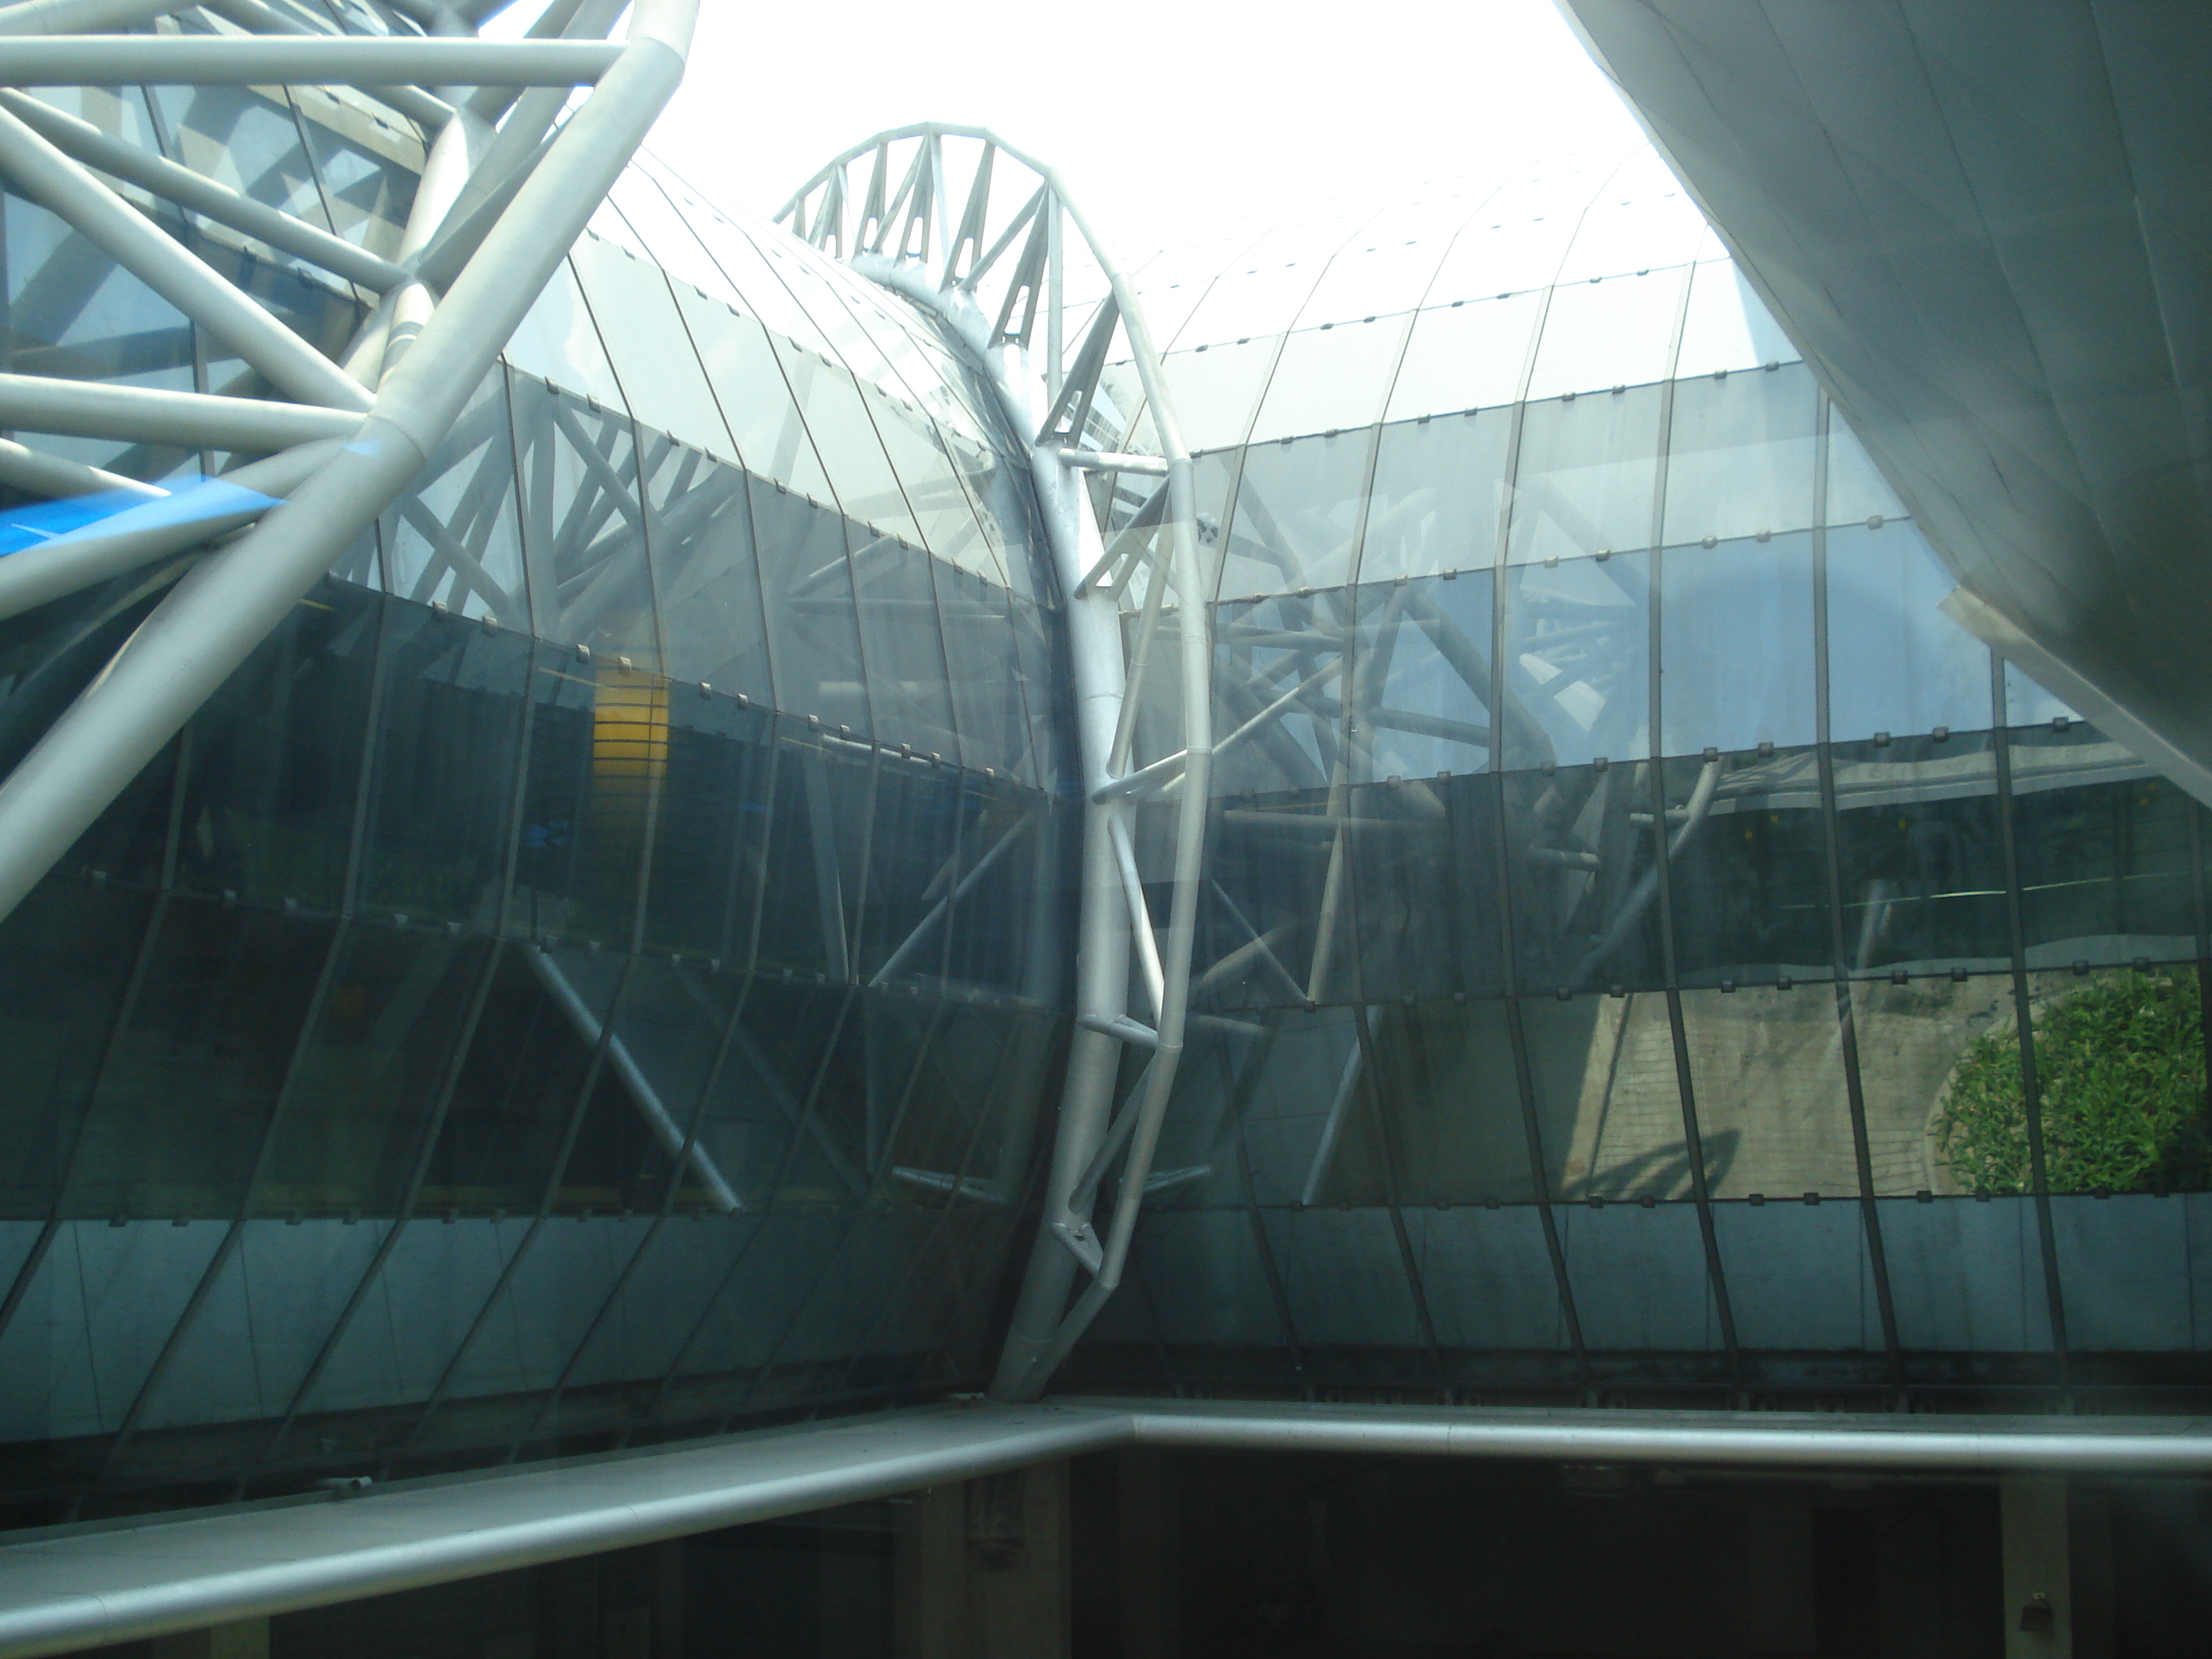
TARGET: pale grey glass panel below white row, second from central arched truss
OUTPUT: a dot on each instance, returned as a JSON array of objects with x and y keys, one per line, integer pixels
[{"x": 1437, "y": 497}]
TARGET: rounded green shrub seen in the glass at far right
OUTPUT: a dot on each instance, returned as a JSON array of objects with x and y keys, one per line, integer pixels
[{"x": 2122, "y": 1076}]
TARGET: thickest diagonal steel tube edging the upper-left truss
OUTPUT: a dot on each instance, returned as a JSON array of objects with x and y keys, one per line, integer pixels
[{"x": 216, "y": 616}]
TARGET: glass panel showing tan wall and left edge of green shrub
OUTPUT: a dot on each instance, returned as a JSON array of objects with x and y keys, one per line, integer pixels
[{"x": 1919, "y": 1047}]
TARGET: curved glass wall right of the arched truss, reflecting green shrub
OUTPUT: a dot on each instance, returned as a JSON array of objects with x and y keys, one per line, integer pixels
[{"x": 1647, "y": 946}]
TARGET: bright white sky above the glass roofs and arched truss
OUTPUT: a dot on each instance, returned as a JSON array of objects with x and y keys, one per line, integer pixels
[{"x": 1167, "y": 116}]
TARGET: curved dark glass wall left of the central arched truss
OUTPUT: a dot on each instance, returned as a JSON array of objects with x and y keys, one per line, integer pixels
[{"x": 592, "y": 974}]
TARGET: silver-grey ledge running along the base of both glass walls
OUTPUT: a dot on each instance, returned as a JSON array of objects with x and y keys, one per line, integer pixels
[{"x": 98, "y": 1585}]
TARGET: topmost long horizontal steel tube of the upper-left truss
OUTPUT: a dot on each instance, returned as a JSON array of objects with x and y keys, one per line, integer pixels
[{"x": 315, "y": 61}]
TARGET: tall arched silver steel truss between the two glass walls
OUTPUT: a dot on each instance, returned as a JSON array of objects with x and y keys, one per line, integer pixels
[{"x": 979, "y": 233}]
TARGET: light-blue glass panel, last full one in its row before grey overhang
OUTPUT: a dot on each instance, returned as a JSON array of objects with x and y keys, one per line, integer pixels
[{"x": 1735, "y": 647}]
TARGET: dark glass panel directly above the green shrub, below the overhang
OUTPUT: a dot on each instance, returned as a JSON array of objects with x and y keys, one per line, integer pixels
[{"x": 2105, "y": 853}]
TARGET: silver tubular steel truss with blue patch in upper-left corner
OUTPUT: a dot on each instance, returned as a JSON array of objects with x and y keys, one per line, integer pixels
[{"x": 503, "y": 196}]
